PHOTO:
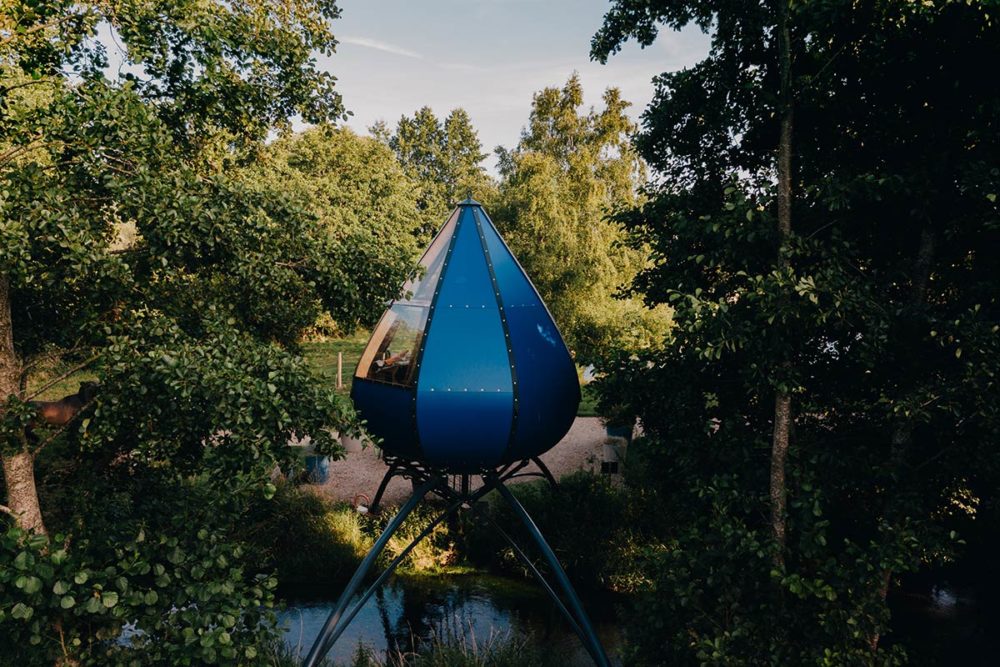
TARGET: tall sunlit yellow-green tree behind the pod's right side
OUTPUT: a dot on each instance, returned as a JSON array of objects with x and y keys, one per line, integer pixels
[{"x": 558, "y": 187}]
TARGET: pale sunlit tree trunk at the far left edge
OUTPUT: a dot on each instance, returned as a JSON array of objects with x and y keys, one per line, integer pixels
[{"x": 18, "y": 465}]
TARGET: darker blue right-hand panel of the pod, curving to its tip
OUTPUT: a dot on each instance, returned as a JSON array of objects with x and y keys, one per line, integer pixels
[{"x": 548, "y": 390}]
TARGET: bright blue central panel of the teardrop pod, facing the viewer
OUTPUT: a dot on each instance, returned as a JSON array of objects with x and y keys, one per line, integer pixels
[{"x": 464, "y": 386}]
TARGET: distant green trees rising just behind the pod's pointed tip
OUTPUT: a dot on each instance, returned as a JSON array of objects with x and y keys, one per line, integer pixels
[{"x": 443, "y": 159}]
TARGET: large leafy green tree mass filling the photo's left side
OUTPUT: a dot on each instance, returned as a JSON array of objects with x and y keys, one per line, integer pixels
[{"x": 129, "y": 511}]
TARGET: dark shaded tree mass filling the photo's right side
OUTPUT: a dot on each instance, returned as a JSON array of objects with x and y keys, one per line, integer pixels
[{"x": 862, "y": 312}]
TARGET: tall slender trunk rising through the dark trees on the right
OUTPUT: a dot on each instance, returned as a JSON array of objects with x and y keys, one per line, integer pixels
[{"x": 783, "y": 400}]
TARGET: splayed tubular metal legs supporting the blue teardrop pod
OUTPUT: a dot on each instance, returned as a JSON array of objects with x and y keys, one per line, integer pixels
[{"x": 427, "y": 481}]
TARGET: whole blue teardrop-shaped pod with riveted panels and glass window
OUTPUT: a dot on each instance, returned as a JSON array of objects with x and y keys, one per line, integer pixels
[{"x": 467, "y": 370}]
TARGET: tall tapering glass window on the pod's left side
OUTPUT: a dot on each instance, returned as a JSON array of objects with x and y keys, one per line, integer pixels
[{"x": 391, "y": 353}]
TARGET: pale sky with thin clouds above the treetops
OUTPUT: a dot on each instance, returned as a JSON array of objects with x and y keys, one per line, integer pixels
[{"x": 486, "y": 56}]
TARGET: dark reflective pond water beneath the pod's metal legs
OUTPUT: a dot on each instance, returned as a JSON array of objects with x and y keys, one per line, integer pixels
[{"x": 476, "y": 607}]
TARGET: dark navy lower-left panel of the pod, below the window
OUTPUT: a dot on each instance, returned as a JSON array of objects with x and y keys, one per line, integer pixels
[{"x": 389, "y": 412}]
